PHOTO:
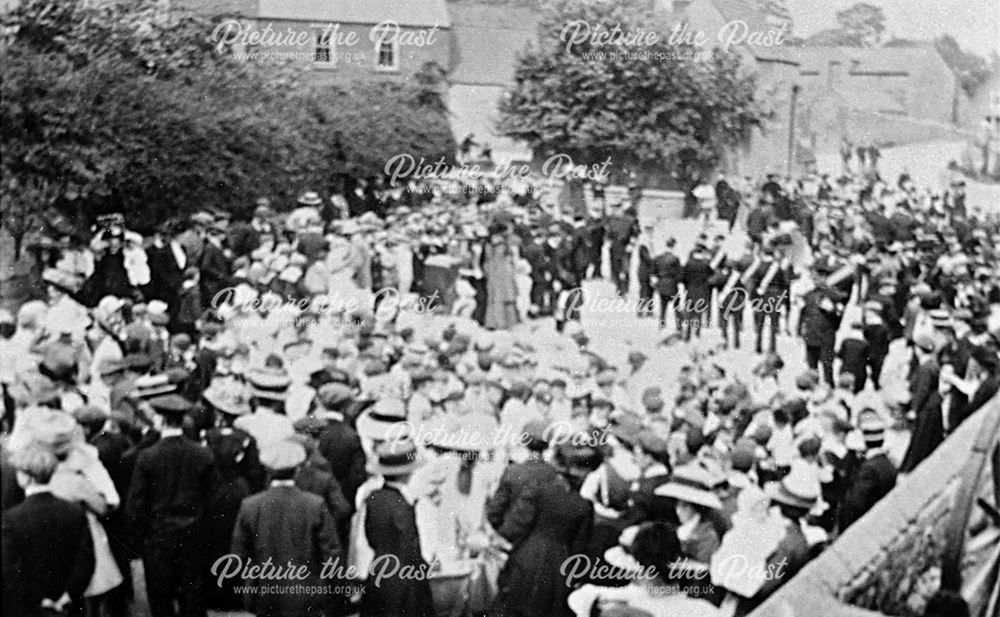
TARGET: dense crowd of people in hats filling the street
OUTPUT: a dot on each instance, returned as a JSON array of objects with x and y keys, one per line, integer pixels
[{"x": 228, "y": 398}]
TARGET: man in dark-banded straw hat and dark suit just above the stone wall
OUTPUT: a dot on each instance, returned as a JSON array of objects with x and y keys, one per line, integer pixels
[{"x": 876, "y": 475}]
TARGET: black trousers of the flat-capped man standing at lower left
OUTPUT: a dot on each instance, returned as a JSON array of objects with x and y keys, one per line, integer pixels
[{"x": 173, "y": 569}]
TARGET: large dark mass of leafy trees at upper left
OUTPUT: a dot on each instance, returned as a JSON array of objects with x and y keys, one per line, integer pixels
[{"x": 120, "y": 107}]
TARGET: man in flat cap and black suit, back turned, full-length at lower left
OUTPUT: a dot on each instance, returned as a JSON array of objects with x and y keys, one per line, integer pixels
[{"x": 172, "y": 482}]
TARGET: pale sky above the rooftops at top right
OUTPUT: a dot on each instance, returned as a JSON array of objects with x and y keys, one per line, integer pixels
[{"x": 975, "y": 24}]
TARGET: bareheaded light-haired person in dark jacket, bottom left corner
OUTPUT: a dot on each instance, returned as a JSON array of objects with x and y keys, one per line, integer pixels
[{"x": 48, "y": 552}]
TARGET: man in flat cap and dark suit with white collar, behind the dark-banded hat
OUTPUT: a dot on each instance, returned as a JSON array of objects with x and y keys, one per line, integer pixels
[{"x": 340, "y": 445}]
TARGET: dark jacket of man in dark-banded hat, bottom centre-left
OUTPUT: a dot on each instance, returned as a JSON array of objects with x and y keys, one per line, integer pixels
[{"x": 391, "y": 530}]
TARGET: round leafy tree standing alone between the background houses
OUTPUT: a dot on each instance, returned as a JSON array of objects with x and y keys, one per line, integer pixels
[{"x": 653, "y": 106}]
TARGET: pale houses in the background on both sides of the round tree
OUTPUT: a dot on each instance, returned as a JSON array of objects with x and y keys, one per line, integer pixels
[{"x": 883, "y": 96}]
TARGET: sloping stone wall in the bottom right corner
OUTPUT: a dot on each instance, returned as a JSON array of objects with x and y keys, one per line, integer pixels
[{"x": 893, "y": 559}]
